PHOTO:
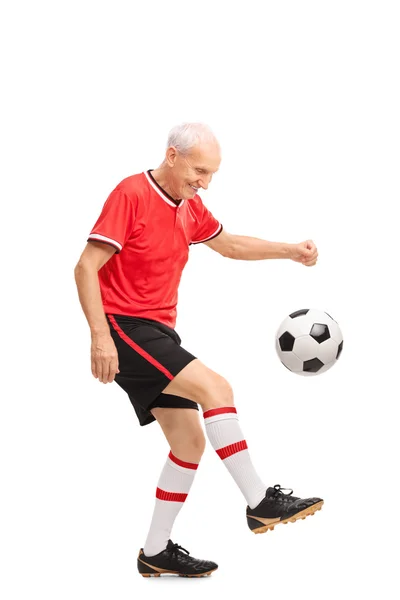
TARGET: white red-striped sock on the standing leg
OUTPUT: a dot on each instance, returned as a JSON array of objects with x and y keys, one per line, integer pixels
[{"x": 174, "y": 484}]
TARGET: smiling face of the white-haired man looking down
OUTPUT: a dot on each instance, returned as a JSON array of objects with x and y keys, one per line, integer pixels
[{"x": 193, "y": 171}]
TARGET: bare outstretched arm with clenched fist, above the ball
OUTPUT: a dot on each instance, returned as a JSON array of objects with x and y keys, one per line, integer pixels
[{"x": 241, "y": 247}]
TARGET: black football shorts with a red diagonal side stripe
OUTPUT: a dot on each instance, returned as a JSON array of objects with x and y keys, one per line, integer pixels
[{"x": 149, "y": 357}]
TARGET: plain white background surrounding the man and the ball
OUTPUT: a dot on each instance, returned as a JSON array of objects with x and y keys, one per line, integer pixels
[{"x": 304, "y": 97}]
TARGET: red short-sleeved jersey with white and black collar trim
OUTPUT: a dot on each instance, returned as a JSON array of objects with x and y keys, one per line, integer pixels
[{"x": 151, "y": 233}]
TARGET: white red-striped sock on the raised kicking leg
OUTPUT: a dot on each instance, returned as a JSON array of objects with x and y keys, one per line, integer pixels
[{"x": 226, "y": 437}]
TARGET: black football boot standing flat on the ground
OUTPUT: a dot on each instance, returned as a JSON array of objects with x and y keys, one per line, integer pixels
[{"x": 173, "y": 561}]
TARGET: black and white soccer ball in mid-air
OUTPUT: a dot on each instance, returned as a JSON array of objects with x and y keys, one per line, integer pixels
[{"x": 309, "y": 342}]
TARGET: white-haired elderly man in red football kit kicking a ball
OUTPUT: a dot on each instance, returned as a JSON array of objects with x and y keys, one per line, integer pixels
[{"x": 127, "y": 279}]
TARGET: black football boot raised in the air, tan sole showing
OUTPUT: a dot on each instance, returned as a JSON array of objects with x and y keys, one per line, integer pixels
[{"x": 278, "y": 507}]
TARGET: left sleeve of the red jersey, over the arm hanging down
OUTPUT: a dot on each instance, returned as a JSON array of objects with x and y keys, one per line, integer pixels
[{"x": 116, "y": 220}]
